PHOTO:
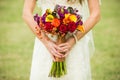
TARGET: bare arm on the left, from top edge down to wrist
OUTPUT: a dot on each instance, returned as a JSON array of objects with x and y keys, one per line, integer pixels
[{"x": 28, "y": 18}]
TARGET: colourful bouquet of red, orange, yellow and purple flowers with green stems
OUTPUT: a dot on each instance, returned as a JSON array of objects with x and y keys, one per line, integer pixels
[{"x": 60, "y": 21}]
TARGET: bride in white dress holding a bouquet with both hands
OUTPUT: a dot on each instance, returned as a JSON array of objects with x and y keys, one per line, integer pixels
[{"x": 77, "y": 47}]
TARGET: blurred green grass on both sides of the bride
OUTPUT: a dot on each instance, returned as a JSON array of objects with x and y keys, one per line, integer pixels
[{"x": 16, "y": 42}]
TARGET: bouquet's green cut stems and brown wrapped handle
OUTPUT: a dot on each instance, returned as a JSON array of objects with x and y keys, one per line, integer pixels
[{"x": 59, "y": 67}]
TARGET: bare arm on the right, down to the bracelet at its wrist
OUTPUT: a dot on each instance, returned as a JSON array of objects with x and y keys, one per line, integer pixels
[{"x": 94, "y": 17}]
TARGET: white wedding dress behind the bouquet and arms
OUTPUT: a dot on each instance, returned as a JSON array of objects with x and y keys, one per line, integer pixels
[{"x": 77, "y": 62}]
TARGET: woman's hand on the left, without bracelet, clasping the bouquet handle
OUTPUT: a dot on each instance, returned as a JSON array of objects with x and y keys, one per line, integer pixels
[{"x": 53, "y": 49}]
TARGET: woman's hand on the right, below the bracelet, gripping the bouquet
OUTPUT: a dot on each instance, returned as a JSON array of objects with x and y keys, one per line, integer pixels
[{"x": 66, "y": 47}]
